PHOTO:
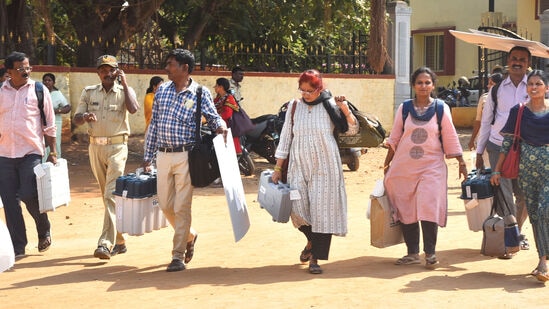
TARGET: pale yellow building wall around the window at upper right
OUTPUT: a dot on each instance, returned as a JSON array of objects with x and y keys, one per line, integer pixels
[{"x": 463, "y": 15}]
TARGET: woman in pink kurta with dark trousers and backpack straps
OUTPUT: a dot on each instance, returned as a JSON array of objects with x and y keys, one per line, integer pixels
[{"x": 415, "y": 170}]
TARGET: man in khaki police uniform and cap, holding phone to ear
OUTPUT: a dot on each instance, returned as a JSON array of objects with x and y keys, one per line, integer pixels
[{"x": 105, "y": 108}]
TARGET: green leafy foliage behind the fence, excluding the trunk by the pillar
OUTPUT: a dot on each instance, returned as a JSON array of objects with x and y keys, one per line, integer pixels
[{"x": 269, "y": 33}]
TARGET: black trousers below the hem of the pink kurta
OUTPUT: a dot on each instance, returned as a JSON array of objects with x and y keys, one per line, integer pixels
[{"x": 411, "y": 236}]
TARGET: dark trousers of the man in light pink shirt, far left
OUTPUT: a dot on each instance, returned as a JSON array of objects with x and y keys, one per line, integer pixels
[{"x": 18, "y": 183}]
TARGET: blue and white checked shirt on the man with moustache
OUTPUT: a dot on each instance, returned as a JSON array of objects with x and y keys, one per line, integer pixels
[{"x": 173, "y": 121}]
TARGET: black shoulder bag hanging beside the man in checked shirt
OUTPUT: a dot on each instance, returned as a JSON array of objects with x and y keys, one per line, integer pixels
[{"x": 203, "y": 165}]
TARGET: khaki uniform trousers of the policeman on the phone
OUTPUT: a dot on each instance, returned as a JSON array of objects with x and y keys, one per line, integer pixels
[{"x": 108, "y": 163}]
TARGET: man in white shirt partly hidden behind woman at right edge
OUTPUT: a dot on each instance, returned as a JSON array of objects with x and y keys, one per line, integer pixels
[{"x": 511, "y": 91}]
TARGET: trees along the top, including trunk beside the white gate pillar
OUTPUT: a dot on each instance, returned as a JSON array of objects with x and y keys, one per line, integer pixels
[{"x": 141, "y": 30}]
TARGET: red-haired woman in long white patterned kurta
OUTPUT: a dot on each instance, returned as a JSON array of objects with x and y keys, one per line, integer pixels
[{"x": 315, "y": 169}]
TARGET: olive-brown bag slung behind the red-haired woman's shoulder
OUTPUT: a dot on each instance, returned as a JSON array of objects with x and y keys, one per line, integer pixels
[{"x": 370, "y": 134}]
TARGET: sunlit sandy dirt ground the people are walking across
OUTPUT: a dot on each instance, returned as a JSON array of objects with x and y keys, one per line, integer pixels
[{"x": 263, "y": 269}]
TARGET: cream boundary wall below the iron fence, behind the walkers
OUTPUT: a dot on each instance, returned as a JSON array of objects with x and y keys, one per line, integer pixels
[{"x": 263, "y": 93}]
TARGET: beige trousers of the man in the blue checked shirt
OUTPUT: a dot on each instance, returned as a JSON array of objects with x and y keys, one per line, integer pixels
[{"x": 175, "y": 194}]
